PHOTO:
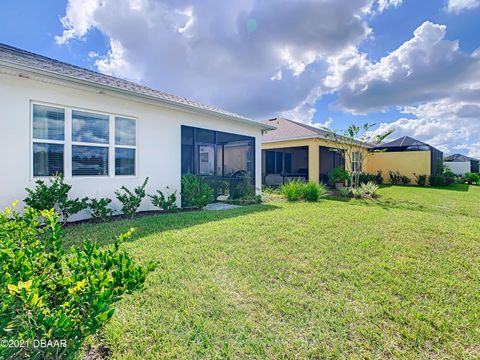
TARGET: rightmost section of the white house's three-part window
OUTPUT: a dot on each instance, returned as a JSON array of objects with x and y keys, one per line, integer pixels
[{"x": 125, "y": 146}]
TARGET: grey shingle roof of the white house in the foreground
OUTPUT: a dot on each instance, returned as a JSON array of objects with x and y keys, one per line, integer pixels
[{"x": 28, "y": 60}]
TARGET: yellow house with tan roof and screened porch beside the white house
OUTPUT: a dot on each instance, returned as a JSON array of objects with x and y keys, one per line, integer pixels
[{"x": 295, "y": 150}]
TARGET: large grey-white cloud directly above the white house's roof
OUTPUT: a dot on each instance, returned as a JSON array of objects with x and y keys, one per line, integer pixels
[{"x": 254, "y": 57}]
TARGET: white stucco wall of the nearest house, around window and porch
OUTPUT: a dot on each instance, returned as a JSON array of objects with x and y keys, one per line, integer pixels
[{"x": 158, "y": 138}]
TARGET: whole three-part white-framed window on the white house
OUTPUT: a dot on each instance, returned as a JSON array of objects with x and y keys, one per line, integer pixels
[{"x": 77, "y": 143}]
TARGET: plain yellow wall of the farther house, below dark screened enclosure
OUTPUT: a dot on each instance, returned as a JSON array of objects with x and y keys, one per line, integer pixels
[{"x": 406, "y": 163}]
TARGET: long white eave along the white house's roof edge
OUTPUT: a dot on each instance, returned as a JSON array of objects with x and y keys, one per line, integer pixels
[{"x": 170, "y": 103}]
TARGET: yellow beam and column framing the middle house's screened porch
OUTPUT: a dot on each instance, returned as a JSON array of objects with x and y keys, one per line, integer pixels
[{"x": 313, "y": 153}]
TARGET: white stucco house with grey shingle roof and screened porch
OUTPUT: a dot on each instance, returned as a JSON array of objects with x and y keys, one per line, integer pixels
[{"x": 102, "y": 132}]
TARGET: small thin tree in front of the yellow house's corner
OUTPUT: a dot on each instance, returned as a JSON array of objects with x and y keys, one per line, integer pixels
[{"x": 356, "y": 140}]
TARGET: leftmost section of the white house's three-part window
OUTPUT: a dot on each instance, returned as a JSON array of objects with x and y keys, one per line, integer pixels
[{"x": 48, "y": 130}]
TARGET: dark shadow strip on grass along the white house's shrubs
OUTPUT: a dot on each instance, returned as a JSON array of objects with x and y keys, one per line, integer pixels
[{"x": 106, "y": 233}]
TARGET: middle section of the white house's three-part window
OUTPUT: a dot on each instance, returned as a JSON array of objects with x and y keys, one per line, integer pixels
[{"x": 90, "y": 142}]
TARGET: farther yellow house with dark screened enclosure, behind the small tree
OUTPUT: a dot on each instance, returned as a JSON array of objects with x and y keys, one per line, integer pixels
[{"x": 406, "y": 155}]
